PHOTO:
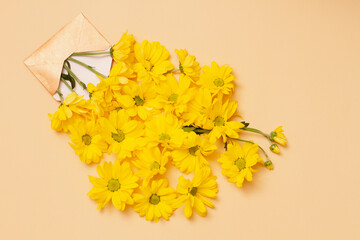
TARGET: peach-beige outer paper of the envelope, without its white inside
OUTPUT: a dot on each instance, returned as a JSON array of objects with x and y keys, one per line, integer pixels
[{"x": 46, "y": 63}]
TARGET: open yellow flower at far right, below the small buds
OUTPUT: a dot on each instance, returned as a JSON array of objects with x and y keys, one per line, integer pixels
[{"x": 237, "y": 162}]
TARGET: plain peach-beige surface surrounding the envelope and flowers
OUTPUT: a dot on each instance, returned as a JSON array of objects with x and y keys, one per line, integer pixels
[{"x": 298, "y": 64}]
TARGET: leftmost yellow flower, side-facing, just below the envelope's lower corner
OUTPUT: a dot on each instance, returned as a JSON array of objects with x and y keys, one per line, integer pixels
[{"x": 72, "y": 105}]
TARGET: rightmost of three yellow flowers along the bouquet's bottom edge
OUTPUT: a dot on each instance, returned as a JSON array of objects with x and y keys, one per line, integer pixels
[{"x": 194, "y": 194}]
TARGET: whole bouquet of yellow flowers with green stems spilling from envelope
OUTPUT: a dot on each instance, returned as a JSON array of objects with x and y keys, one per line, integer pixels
[{"x": 152, "y": 117}]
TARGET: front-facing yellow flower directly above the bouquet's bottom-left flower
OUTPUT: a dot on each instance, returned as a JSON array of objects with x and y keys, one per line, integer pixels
[{"x": 122, "y": 134}]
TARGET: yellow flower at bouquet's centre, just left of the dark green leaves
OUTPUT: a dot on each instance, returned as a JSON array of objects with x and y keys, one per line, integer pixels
[{"x": 166, "y": 130}]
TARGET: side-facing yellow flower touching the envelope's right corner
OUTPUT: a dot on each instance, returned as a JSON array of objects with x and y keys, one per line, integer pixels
[{"x": 123, "y": 50}]
